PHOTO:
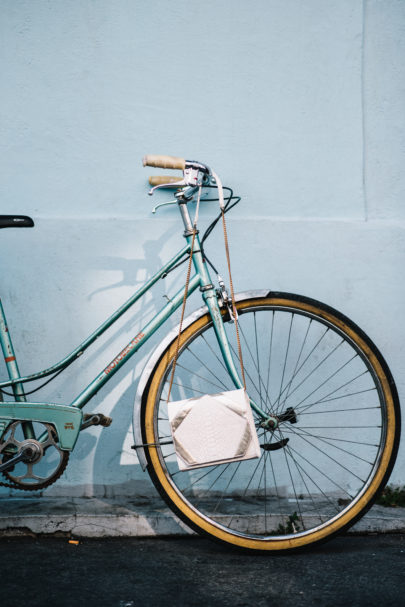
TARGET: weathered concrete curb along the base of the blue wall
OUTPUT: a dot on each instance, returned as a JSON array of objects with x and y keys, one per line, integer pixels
[{"x": 127, "y": 517}]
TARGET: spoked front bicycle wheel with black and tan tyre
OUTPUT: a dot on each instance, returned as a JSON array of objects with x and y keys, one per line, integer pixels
[{"x": 335, "y": 443}]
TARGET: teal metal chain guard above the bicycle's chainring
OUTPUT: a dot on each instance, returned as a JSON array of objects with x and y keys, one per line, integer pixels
[{"x": 67, "y": 420}]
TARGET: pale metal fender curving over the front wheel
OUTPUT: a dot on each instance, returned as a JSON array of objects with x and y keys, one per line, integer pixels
[{"x": 154, "y": 359}]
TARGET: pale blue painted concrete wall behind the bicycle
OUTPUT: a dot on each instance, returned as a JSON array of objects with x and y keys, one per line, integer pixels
[{"x": 298, "y": 105}]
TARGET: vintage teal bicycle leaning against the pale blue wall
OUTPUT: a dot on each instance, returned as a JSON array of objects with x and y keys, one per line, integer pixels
[{"x": 323, "y": 398}]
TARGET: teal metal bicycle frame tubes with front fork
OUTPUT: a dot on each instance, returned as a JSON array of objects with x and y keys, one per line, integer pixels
[{"x": 201, "y": 279}]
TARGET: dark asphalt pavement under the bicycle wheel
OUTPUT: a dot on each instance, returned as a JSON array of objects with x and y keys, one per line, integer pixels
[{"x": 348, "y": 571}]
